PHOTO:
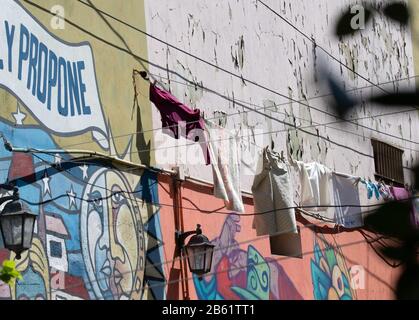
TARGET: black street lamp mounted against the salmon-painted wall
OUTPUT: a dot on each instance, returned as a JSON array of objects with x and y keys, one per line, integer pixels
[{"x": 199, "y": 251}]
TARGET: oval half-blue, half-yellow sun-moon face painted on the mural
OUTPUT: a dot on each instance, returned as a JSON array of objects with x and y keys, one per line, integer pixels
[{"x": 112, "y": 238}]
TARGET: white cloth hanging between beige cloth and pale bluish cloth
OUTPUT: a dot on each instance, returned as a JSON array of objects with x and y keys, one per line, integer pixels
[{"x": 316, "y": 188}]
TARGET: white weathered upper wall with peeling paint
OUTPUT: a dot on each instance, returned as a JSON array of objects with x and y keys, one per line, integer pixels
[{"x": 245, "y": 38}]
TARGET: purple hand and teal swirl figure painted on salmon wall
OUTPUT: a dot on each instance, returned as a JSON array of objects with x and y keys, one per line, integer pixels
[{"x": 239, "y": 274}]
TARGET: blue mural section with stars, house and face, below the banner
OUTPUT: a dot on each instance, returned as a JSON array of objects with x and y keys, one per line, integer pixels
[{"x": 102, "y": 248}]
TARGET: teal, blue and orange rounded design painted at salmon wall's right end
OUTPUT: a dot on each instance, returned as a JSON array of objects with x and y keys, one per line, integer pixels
[{"x": 330, "y": 275}]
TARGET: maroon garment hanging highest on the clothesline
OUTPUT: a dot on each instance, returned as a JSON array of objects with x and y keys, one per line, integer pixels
[{"x": 174, "y": 115}]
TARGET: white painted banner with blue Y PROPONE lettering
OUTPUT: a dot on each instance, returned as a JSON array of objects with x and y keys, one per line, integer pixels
[{"x": 55, "y": 80}]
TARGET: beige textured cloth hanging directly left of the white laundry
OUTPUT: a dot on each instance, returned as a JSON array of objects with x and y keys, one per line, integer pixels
[{"x": 272, "y": 191}]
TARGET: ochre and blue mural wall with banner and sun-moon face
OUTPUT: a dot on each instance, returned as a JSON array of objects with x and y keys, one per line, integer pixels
[{"x": 69, "y": 85}]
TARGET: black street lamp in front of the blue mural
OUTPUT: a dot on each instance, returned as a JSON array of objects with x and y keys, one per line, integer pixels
[{"x": 17, "y": 223}]
